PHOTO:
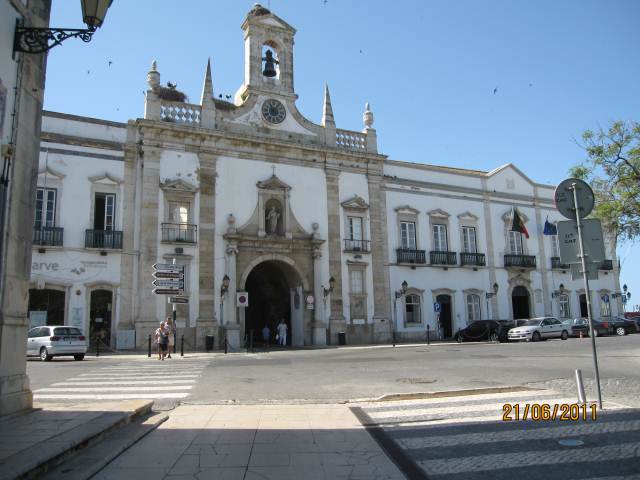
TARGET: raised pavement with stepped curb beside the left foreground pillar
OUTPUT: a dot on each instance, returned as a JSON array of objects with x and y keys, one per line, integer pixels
[{"x": 32, "y": 441}]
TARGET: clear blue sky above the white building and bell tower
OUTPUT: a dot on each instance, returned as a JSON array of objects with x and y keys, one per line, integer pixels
[{"x": 429, "y": 69}]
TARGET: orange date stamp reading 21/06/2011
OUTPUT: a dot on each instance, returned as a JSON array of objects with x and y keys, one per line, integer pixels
[{"x": 541, "y": 412}]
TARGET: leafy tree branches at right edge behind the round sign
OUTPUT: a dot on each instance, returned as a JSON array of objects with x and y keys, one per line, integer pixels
[{"x": 612, "y": 168}]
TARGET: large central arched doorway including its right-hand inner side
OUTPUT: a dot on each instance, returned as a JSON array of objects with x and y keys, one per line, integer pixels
[{"x": 274, "y": 295}]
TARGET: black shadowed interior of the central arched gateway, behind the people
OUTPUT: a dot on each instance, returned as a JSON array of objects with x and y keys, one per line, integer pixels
[{"x": 269, "y": 302}]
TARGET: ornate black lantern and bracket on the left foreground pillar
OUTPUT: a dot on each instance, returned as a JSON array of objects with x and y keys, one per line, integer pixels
[{"x": 39, "y": 40}]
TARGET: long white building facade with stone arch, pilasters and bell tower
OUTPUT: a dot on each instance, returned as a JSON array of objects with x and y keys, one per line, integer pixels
[{"x": 252, "y": 191}]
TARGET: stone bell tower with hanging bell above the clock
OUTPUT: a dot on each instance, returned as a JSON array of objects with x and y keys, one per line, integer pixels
[{"x": 268, "y": 53}]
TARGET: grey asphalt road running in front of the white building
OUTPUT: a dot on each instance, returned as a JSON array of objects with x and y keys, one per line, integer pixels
[{"x": 348, "y": 373}]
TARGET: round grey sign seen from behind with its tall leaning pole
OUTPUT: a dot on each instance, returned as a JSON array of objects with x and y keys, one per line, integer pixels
[{"x": 574, "y": 199}]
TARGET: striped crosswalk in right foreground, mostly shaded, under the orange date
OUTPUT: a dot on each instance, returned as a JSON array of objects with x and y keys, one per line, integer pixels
[{"x": 466, "y": 437}]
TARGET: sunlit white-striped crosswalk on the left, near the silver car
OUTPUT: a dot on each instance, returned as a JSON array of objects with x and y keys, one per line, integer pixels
[{"x": 136, "y": 379}]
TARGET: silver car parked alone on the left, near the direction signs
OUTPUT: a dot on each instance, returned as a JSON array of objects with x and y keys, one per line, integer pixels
[{"x": 56, "y": 341}]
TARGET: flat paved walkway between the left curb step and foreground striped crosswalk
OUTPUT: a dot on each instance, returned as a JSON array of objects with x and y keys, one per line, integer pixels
[{"x": 250, "y": 442}]
